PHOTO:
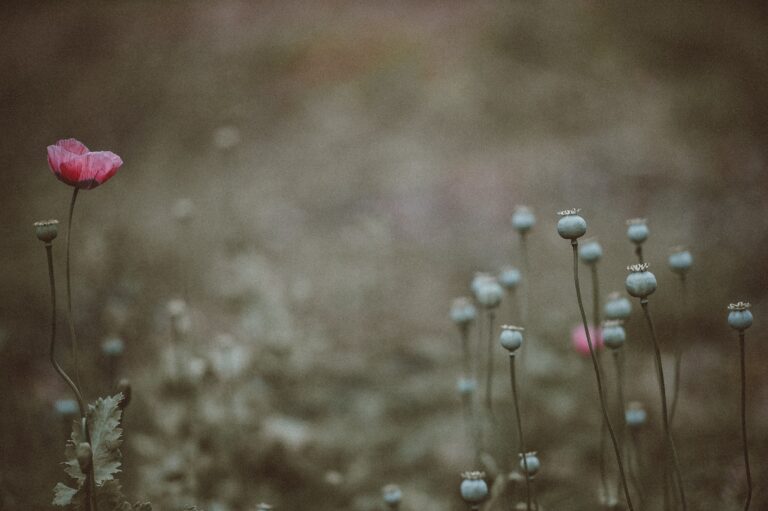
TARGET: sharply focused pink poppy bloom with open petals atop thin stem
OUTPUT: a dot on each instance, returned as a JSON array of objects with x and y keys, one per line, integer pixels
[{"x": 75, "y": 165}]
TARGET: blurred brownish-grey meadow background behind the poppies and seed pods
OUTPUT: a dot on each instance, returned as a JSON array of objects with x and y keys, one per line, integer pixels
[{"x": 347, "y": 167}]
